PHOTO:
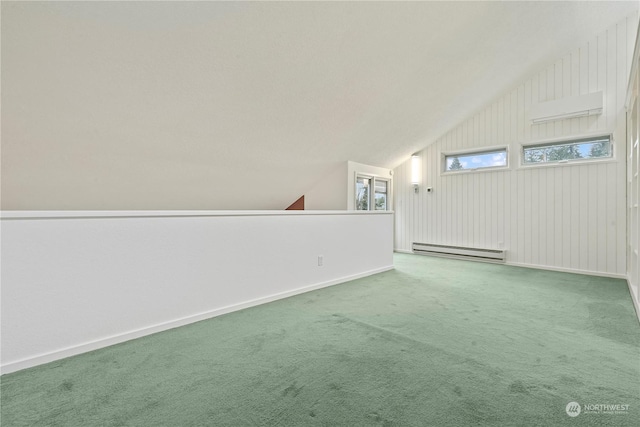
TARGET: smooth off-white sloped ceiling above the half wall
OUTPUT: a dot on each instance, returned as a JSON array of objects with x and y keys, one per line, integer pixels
[{"x": 243, "y": 105}]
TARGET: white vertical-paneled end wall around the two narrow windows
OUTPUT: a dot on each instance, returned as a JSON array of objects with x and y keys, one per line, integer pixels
[{"x": 567, "y": 217}]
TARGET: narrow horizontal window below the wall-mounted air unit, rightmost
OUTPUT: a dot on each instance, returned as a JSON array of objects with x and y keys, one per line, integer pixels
[{"x": 567, "y": 151}]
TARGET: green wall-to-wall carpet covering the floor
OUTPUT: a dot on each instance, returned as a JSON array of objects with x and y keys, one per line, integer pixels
[{"x": 435, "y": 342}]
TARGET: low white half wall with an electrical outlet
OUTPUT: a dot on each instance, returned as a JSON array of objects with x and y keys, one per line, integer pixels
[{"x": 76, "y": 281}]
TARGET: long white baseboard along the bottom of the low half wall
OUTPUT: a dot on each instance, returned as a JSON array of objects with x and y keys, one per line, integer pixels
[{"x": 130, "y": 335}]
